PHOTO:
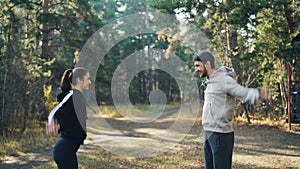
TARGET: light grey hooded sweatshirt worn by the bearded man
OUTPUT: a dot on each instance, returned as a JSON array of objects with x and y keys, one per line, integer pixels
[{"x": 220, "y": 95}]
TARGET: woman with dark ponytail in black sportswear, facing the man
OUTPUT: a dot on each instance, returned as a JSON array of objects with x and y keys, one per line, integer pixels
[{"x": 71, "y": 117}]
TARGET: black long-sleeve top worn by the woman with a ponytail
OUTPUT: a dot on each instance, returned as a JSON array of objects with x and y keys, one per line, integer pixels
[{"x": 72, "y": 116}]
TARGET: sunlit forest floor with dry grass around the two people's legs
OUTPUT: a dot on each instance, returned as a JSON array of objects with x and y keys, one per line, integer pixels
[{"x": 256, "y": 146}]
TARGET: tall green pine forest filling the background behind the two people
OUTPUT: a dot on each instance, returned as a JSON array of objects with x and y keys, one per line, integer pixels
[{"x": 39, "y": 39}]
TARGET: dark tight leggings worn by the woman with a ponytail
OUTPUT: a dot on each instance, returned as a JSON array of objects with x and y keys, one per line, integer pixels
[{"x": 64, "y": 153}]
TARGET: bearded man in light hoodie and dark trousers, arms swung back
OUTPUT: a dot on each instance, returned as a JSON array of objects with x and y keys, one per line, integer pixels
[{"x": 218, "y": 110}]
